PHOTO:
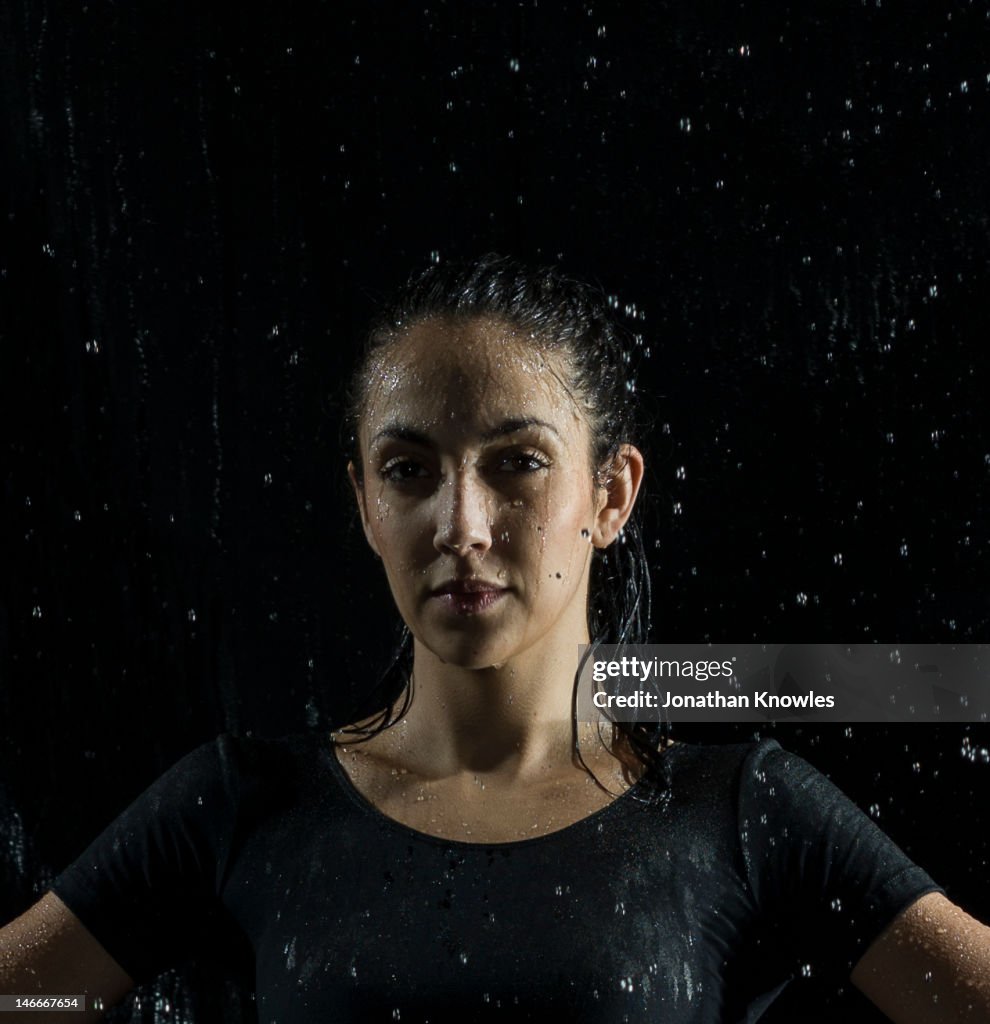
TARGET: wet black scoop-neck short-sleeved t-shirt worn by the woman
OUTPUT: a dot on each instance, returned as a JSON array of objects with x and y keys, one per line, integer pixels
[{"x": 697, "y": 911}]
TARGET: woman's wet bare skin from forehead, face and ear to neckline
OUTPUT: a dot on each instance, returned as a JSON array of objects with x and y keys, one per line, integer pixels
[{"x": 480, "y": 496}]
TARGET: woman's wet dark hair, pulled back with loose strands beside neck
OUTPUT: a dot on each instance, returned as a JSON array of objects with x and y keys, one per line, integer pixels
[{"x": 574, "y": 320}]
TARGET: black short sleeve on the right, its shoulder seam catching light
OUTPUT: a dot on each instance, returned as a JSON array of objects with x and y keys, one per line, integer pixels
[{"x": 820, "y": 869}]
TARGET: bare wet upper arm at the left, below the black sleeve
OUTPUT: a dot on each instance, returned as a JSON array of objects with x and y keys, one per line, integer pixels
[{"x": 48, "y": 951}]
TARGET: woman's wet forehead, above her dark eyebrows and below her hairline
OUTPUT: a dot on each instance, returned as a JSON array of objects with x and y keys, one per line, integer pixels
[{"x": 443, "y": 373}]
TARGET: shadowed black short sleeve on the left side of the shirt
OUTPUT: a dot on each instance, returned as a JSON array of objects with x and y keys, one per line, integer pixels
[{"x": 147, "y": 888}]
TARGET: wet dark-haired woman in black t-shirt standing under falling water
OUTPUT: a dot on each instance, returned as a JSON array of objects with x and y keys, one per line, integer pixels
[{"x": 468, "y": 851}]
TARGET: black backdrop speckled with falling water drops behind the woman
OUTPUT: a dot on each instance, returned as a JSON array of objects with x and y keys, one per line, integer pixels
[{"x": 203, "y": 205}]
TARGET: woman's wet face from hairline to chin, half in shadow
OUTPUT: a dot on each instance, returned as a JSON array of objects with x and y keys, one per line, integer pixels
[{"x": 479, "y": 492}]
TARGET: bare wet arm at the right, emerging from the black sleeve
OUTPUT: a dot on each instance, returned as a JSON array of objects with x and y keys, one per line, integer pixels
[{"x": 931, "y": 966}]
